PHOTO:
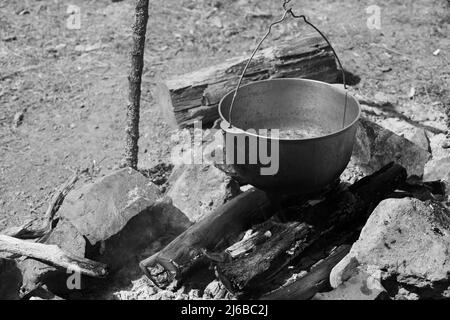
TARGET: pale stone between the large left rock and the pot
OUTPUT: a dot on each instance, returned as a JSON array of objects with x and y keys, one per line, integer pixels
[{"x": 198, "y": 189}]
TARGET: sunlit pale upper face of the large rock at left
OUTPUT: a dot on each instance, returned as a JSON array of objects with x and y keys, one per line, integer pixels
[{"x": 102, "y": 208}]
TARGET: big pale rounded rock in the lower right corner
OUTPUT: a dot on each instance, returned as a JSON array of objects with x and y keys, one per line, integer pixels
[{"x": 408, "y": 241}]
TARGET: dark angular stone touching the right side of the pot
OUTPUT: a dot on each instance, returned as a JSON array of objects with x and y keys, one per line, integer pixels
[{"x": 376, "y": 146}]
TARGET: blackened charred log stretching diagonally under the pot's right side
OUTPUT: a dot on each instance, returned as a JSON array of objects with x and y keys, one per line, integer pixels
[{"x": 340, "y": 213}]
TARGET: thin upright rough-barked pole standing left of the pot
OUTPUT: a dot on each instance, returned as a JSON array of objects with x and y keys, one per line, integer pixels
[{"x": 134, "y": 81}]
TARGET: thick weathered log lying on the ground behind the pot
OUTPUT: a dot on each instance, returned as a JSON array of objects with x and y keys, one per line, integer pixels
[{"x": 195, "y": 96}]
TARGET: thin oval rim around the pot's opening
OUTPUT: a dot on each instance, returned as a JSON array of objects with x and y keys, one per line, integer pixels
[{"x": 224, "y": 125}]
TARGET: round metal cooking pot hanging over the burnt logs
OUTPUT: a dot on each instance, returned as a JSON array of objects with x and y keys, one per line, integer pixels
[{"x": 305, "y": 165}]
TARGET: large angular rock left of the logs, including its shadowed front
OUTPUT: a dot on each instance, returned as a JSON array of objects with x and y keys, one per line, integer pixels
[{"x": 124, "y": 214}]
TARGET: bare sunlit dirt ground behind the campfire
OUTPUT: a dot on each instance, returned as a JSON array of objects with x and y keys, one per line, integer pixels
[{"x": 63, "y": 92}]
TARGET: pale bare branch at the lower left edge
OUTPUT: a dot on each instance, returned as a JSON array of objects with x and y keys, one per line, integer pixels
[{"x": 53, "y": 255}]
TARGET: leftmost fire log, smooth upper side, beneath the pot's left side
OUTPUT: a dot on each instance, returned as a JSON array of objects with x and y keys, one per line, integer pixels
[{"x": 219, "y": 229}]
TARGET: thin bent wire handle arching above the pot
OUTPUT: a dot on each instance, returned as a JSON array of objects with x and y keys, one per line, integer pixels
[{"x": 285, "y": 14}]
